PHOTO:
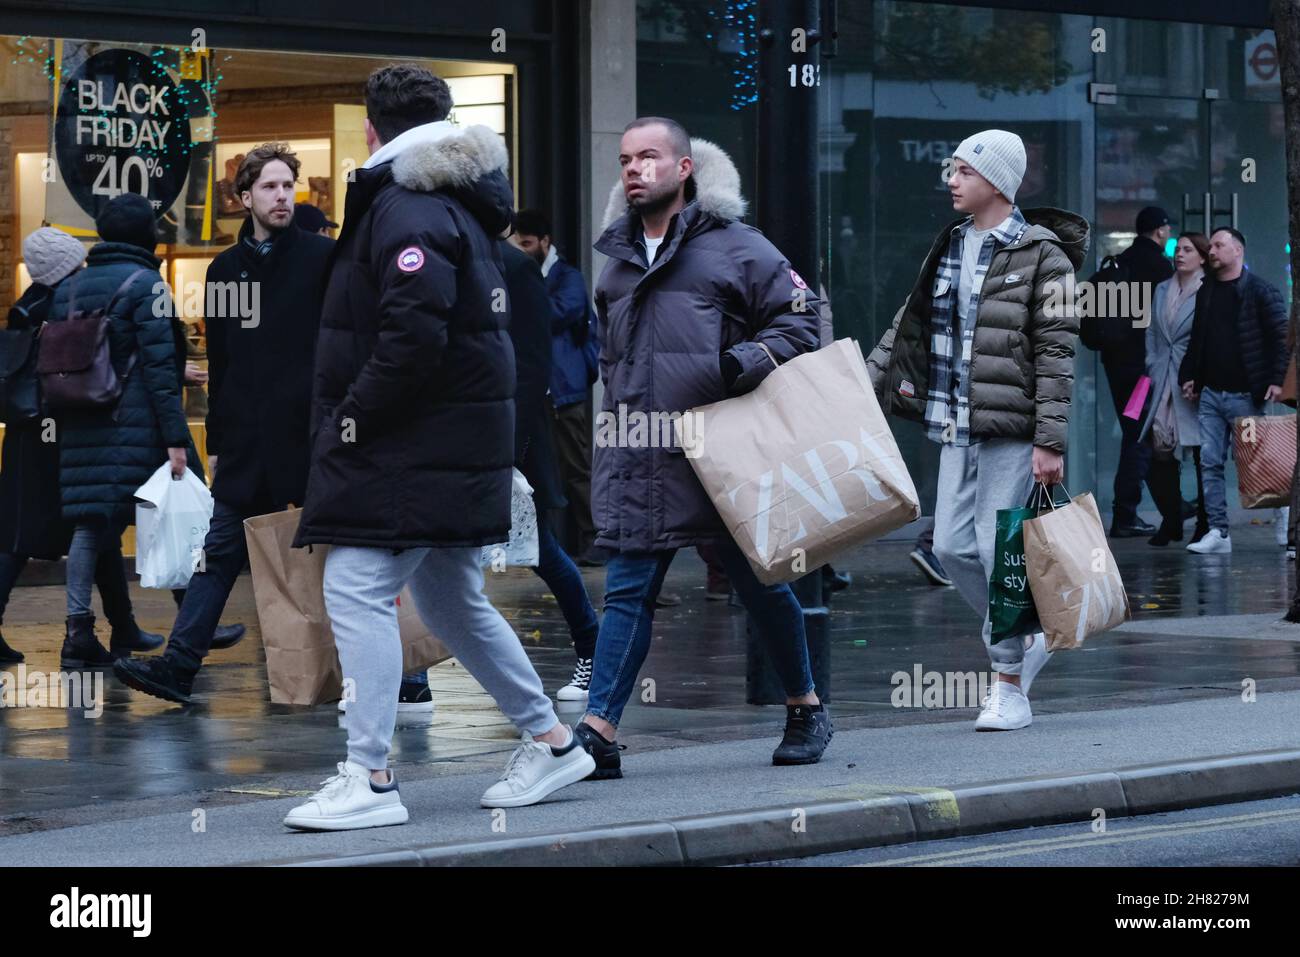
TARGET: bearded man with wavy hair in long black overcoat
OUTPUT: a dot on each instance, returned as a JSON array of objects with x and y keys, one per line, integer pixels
[{"x": 263, "y": 309}]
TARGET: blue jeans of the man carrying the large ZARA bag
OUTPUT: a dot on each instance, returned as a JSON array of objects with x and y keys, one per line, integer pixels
[{"x": 632, "y": 584}]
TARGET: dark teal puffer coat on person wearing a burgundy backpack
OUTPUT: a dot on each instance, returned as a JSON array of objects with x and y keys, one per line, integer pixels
[{"x": 107, "y": 454}]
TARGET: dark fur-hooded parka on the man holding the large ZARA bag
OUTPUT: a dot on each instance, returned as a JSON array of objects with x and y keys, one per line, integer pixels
[{"x": 717, "y": 287}]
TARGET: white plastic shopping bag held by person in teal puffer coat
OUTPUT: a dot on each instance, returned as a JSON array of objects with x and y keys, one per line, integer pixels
[{"x": 172, "y": 522}]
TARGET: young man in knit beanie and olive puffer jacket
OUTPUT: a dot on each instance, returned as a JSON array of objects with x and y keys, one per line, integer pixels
[{"x": 977, "y": 357}]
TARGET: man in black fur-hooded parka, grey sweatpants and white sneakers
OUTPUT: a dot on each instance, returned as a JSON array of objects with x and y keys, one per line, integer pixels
[{"x": 414, "y": 443}]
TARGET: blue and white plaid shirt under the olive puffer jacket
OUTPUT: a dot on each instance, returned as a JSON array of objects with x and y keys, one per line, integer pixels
[{"x": 948, "y": 399}]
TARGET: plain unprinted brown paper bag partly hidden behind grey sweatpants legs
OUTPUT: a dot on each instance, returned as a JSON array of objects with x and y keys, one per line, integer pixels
[{"x": 288, "y": 584}]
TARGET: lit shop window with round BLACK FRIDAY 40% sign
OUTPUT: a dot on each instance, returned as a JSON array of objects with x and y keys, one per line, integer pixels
[{"x": 83, "y": 122}]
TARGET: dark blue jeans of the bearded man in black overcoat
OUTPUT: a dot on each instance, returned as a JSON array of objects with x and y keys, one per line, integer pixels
[{"x": 224, "y": 555}]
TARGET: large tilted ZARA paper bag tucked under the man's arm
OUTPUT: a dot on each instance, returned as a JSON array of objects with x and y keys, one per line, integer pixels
[{"x": 805, "y": 466}]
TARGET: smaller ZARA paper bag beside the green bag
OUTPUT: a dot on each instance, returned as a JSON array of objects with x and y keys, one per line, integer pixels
[{"x": 1073, "y": 577}]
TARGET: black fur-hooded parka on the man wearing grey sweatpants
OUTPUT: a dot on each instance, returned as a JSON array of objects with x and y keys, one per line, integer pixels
[{"x": 415, "y": 376}]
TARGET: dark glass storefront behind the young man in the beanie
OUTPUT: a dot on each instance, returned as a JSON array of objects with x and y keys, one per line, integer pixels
[{"x": 1180, "y": 110}]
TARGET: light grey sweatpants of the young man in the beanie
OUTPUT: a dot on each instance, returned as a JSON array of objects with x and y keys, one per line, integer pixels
[{"x": 974, "y": 483}]
